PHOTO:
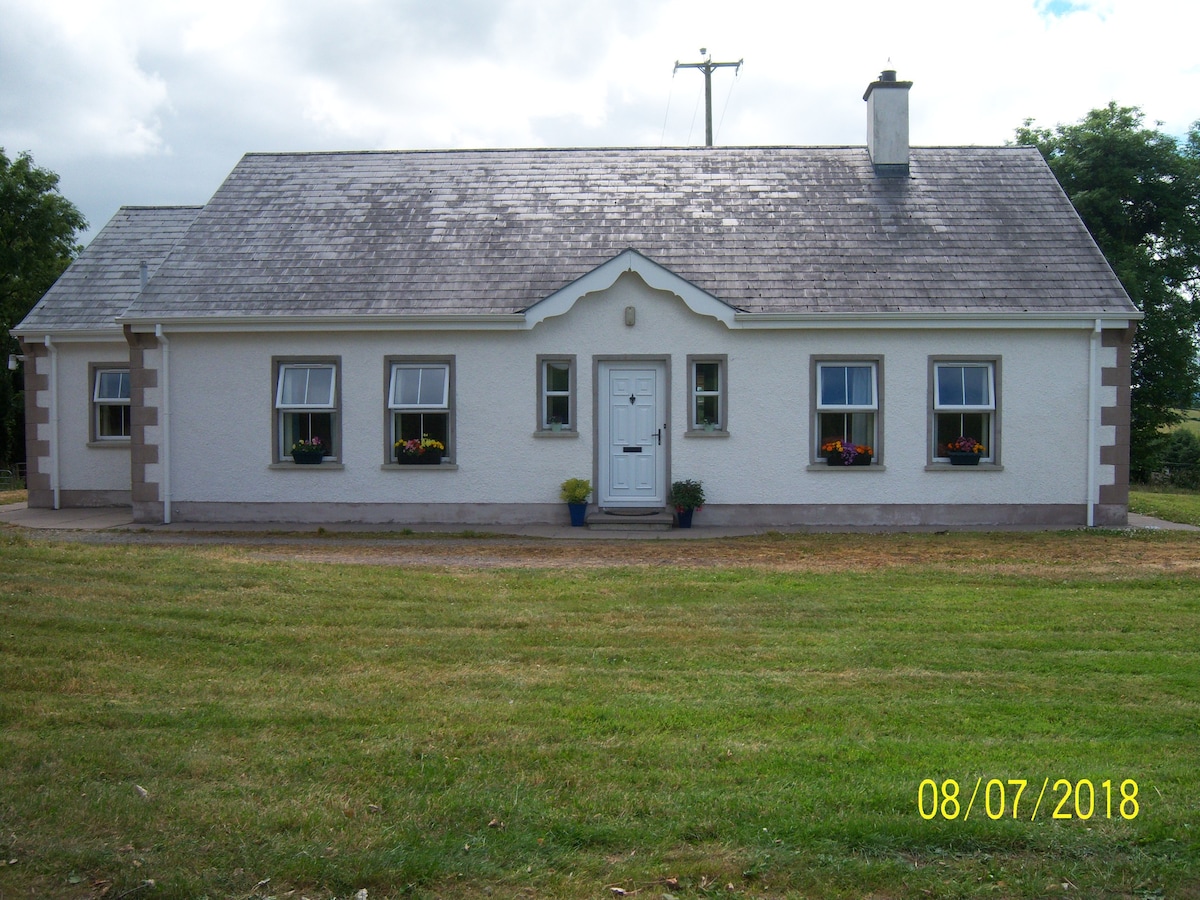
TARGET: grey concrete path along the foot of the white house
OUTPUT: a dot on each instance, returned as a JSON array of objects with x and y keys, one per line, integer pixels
[{"x": 121, "y": 519}]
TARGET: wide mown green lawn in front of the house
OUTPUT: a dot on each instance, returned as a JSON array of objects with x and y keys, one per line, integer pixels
[{"x": 776, "y": 717}]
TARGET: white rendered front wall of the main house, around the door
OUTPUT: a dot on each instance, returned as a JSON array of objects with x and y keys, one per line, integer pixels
[{"x": 223, "y": 395}]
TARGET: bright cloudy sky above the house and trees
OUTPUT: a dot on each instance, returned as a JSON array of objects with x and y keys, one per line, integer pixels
[{"x": 154, "y": 101}]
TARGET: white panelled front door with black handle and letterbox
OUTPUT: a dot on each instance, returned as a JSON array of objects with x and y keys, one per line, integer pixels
[{"x": 632, "y": 434}]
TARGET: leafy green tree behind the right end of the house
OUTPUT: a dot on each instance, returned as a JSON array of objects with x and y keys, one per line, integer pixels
[{"x": 1138, "y": 191}]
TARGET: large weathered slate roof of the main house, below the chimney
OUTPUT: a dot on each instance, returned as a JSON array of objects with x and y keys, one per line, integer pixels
[{"x": 765, "y": 230}]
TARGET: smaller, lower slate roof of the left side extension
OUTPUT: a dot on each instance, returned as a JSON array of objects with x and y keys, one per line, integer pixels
[{"x": 101, "y": 284}]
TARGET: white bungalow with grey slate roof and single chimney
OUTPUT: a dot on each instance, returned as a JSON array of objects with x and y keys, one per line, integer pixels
[{"x": 631, "y": 316}]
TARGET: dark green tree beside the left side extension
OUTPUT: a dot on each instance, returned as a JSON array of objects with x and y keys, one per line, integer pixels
[{"x": 39, "y": 229}]
